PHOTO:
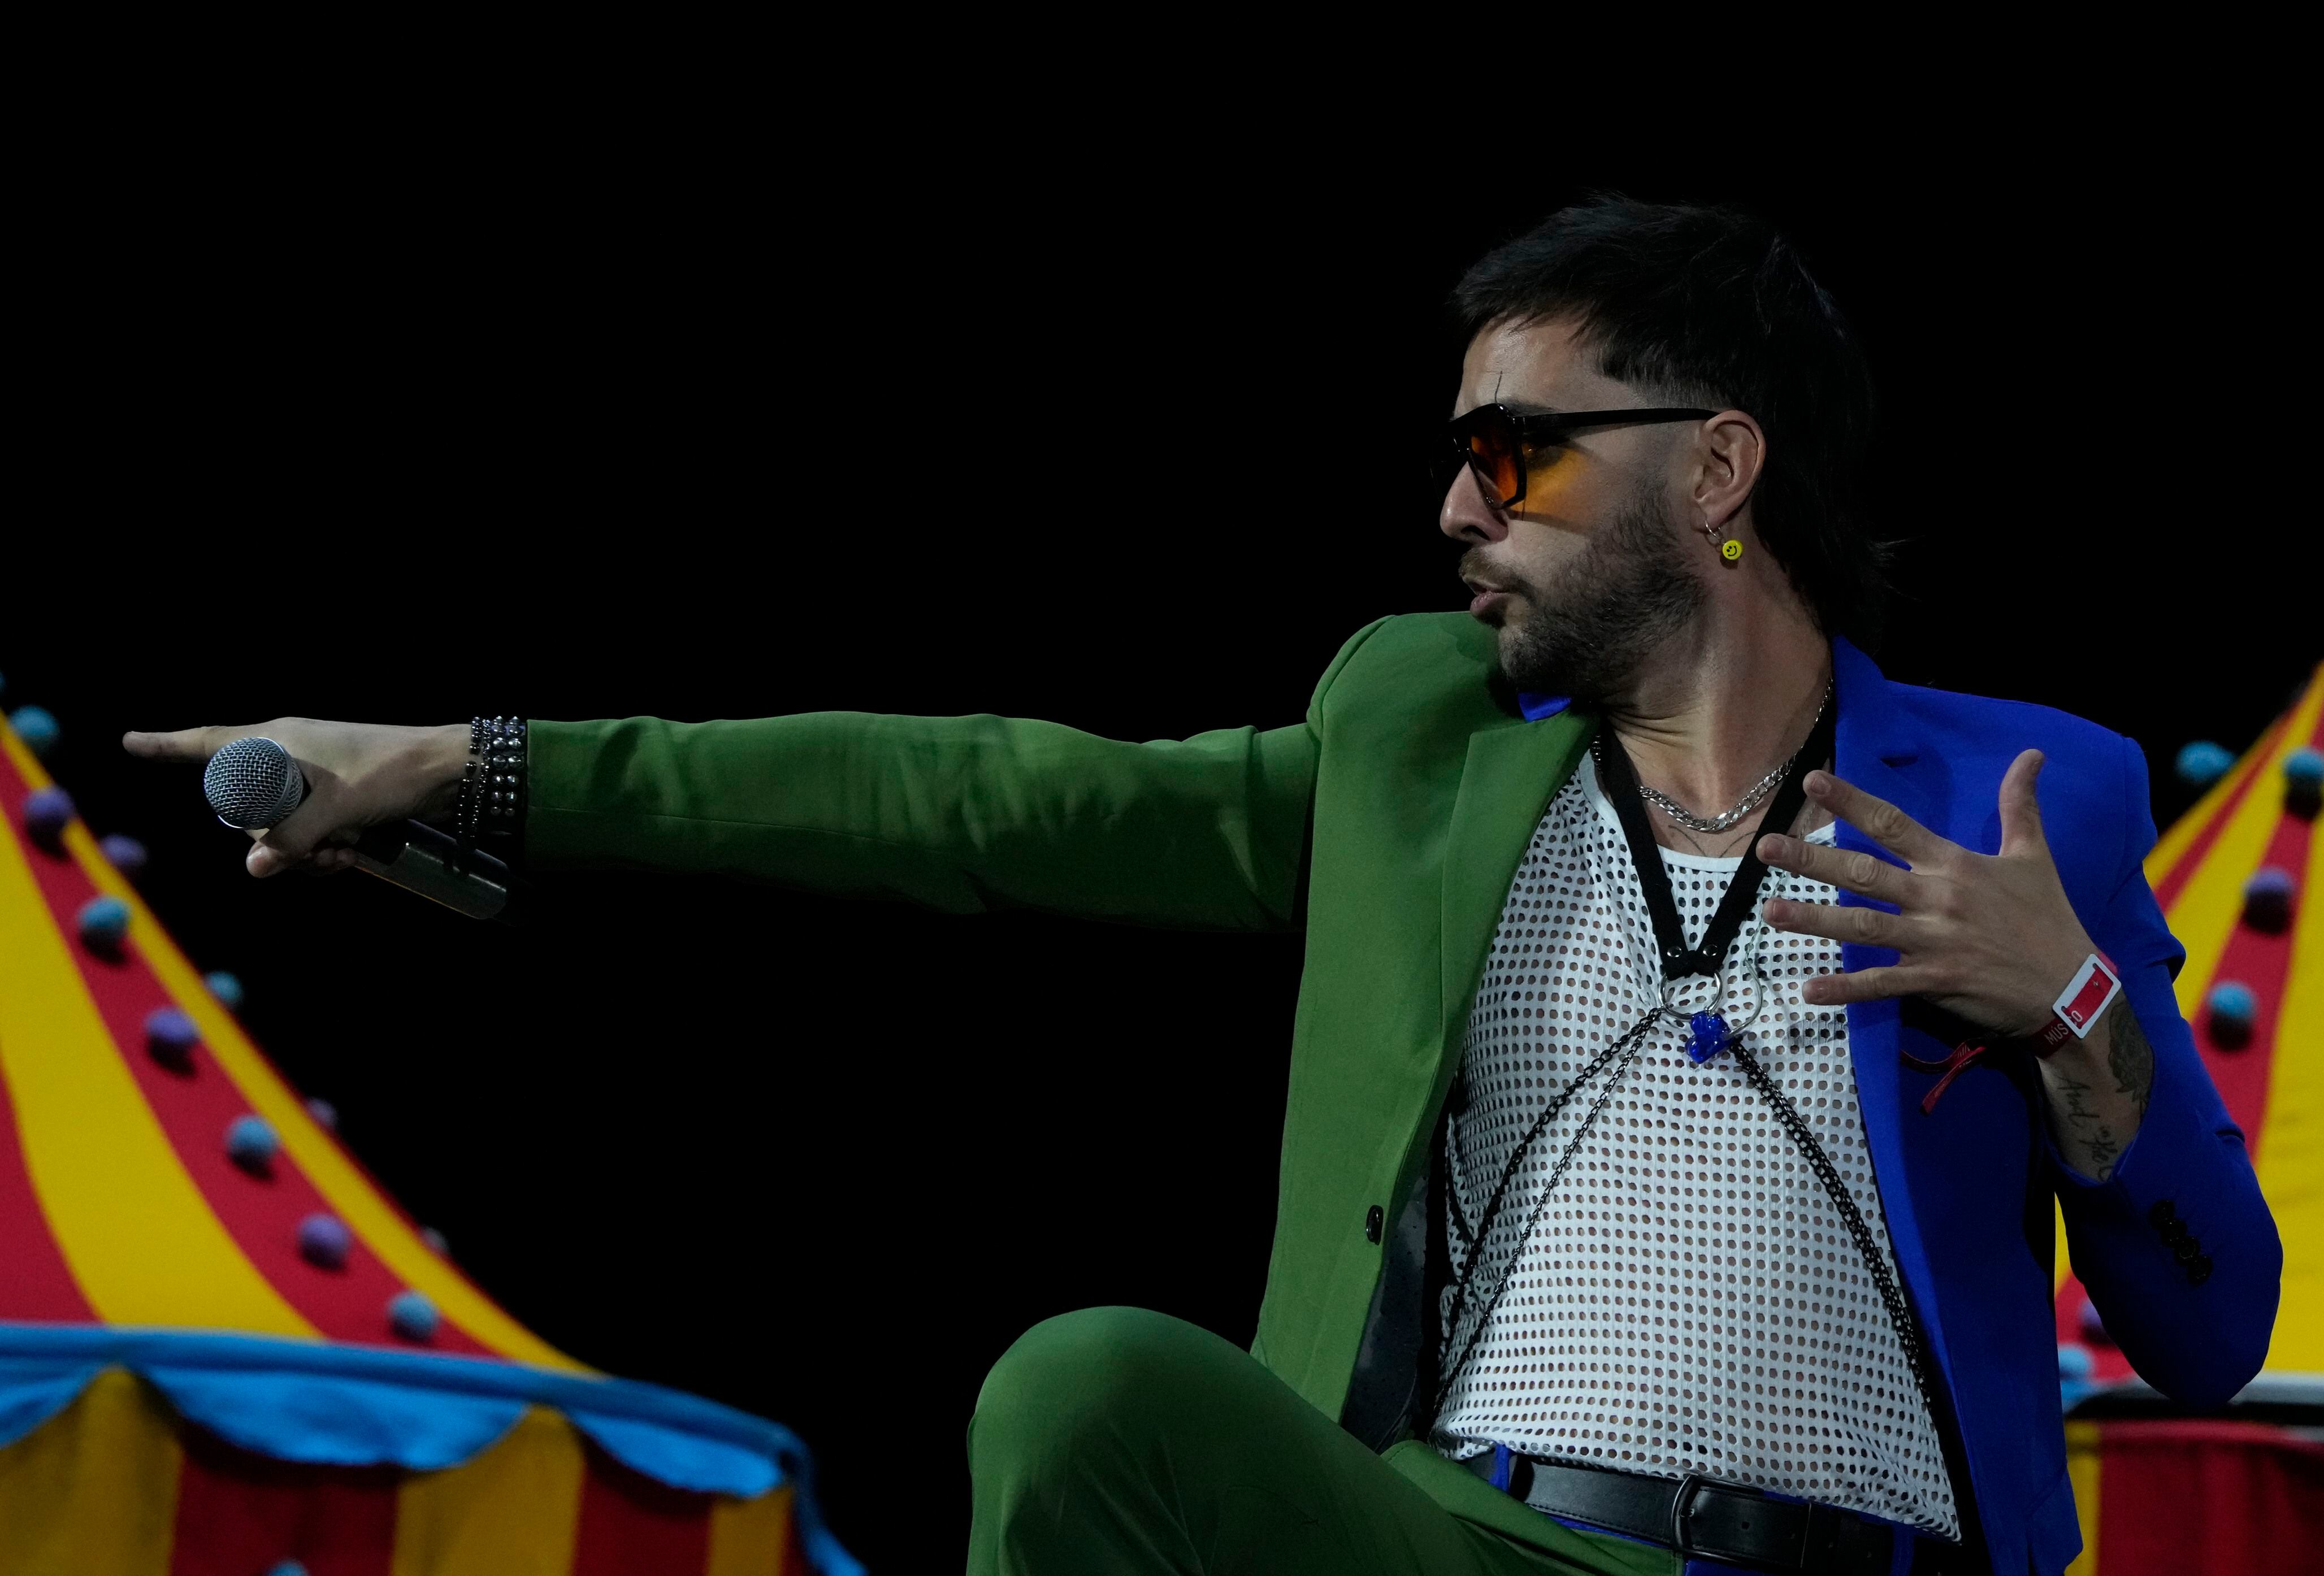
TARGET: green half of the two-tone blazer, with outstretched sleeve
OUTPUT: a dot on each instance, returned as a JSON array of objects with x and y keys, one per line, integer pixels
[{"x": 1389, "y": 826}]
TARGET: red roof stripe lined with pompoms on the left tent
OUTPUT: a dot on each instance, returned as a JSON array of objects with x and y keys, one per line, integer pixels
[{"x": 196, "y": 1108}]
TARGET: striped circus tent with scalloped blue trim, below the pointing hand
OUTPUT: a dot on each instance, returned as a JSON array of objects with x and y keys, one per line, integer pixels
[{"x": 227, "y": 1349}]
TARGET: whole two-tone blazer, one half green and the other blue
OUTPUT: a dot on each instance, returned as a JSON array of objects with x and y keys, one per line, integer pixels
[{"x": 1389, "y": 826}]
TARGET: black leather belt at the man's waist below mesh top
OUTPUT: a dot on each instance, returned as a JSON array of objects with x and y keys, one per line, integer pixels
[{"x": 1716, "y": 1521}]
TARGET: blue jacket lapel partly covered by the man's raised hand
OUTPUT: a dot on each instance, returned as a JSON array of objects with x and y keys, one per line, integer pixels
[{"x": 1877, "y": 754}]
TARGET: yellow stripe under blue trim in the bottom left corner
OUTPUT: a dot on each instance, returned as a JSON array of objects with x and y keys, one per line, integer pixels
[{"x": 92, "y": 1489}]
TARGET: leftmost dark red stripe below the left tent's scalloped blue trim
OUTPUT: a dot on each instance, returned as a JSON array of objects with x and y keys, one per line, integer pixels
[{"x": 241, "y": 1514}]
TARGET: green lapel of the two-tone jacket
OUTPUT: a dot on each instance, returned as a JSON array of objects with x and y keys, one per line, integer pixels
[{"x": 1507, "y": 782}]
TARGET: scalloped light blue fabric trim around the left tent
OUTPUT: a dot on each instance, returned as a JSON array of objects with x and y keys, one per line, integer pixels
[{"x": 424, "y": 1412}]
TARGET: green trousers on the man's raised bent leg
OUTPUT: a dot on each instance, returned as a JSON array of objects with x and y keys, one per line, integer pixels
[{"x": 1119, "y": 1440}]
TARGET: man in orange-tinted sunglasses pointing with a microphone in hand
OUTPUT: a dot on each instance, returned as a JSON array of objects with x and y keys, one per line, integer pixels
[{"x": 1695, "y": 1026}]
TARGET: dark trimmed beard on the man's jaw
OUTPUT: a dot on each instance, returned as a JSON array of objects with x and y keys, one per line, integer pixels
[{"x": 1612, "y": 608}]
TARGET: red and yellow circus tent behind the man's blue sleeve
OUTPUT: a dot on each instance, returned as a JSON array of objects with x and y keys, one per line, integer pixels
[{"x": 2160, "y": 1491}]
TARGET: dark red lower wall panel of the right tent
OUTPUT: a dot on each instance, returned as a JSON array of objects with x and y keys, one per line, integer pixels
[{"x": 2183, "y": 1498}]
